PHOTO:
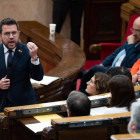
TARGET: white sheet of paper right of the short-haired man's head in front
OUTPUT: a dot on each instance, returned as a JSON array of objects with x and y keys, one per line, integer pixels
[{"x": 98, "y": 110}]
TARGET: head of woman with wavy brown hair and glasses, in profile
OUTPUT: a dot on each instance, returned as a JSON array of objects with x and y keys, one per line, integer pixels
[{"x": 98, "y": 84}]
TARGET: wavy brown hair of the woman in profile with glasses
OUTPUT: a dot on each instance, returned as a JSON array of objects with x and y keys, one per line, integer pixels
[{"x": 101, "y": 80}]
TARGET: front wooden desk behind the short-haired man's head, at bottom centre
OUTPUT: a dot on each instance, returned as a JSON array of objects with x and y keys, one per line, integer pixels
[{"x": 100, "y": 127}]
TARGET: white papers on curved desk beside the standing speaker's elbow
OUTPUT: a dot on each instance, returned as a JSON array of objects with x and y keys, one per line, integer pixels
[{"x": 45, "y": 81}]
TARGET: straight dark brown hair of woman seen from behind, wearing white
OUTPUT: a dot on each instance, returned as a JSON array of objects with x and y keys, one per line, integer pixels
[{"x": 122, "y": 91}]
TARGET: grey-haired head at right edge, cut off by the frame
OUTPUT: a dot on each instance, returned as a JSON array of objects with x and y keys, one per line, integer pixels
[{"x": 134, "y": 123}]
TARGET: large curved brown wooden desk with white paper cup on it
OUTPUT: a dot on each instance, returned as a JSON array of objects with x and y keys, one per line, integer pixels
[{"x": 59, "y": 57}]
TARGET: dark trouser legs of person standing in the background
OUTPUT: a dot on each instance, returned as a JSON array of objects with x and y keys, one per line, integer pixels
[{"x": 60, "y": 10}]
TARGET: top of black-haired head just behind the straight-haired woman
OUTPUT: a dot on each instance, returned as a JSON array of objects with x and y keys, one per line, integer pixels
[{"x": 119, "y": 71}]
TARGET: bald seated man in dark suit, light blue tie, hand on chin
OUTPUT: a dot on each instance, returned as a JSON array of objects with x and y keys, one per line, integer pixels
[{"x": 125, "y": 56}]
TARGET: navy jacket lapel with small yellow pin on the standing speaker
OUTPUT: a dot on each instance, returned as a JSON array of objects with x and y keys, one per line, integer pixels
[{"x": 17, "y": 55}]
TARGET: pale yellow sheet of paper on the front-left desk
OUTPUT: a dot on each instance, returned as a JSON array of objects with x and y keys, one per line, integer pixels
[{"x": 46, "y": 118}]
